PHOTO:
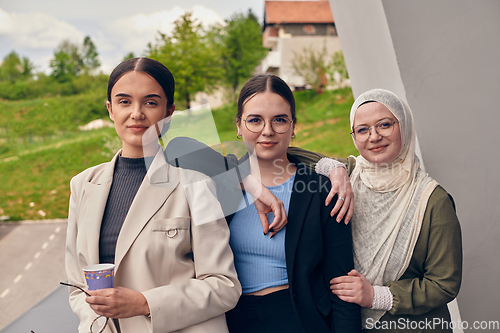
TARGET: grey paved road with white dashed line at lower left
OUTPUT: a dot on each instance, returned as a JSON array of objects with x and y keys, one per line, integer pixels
[{"x": 32, "y": 264}]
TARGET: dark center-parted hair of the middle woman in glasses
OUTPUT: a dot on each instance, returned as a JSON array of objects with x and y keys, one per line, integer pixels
[{"x": 262, "y": 83}]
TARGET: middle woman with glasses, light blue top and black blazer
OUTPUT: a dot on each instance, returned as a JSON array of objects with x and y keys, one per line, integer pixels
[{"x": 285, "y": 279}]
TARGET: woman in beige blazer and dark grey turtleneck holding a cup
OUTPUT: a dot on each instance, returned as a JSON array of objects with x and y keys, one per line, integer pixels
[{"x": 173, "y": 265}]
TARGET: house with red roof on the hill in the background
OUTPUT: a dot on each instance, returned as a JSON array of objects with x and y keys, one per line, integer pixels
[{"x": 291, "y": 26}]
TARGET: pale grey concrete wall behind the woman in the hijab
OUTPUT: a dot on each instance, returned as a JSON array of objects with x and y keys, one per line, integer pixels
[{"x": 443, "y": 57}]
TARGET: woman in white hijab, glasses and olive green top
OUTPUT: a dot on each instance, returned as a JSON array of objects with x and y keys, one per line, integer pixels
[{"x": 406, "y": 235}]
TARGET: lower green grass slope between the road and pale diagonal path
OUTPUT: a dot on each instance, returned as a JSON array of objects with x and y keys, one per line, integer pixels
[{"x": 36, "y": 184}]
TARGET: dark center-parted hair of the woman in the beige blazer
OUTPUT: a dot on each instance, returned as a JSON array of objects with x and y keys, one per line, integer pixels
[{"x": 152, "y": 68}]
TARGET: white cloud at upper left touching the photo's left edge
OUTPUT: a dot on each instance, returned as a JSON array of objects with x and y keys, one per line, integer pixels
[{"x": 36, "y": 30}]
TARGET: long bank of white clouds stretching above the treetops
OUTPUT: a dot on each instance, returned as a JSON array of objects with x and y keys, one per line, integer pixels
[{"x": 36, "y": 35}]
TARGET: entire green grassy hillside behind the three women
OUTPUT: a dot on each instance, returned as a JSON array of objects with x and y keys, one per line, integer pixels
[{"x": 41, "y": 148}]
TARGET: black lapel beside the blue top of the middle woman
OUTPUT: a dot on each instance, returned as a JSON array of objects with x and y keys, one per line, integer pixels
[{"x": 299, "y": 204}]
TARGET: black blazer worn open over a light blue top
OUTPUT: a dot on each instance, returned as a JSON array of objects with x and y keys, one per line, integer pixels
[{"x": 317, "y": 248}]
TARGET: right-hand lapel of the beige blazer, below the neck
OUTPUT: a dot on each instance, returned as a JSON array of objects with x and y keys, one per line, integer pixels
[{"x": 159, "y": 183}]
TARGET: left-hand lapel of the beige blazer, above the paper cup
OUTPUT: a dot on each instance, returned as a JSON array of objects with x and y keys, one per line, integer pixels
[{"x": 96, "y": 196}]
